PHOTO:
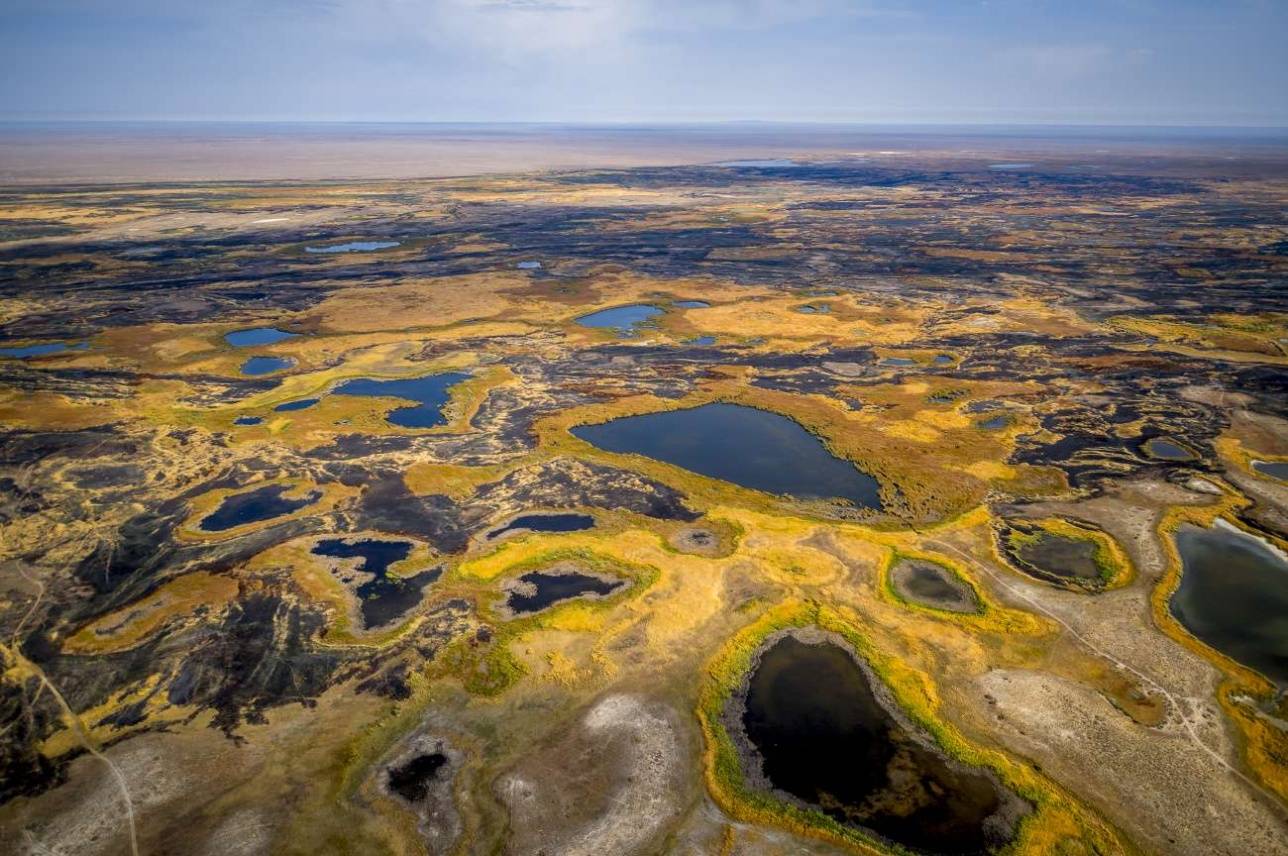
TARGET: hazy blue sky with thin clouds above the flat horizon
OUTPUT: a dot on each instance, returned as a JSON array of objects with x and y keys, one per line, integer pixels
[{"x": 1113, "y": 62}]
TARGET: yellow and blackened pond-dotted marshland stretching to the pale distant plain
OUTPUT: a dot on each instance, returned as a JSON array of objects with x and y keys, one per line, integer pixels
[{"x": 329, "y": 523}]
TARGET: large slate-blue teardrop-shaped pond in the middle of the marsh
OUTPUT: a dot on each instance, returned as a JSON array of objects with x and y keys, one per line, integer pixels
[{"x": 741, "y": 445}]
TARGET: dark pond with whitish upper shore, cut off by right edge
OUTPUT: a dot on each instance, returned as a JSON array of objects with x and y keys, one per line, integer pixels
[{"x": 1235, "y": 597}]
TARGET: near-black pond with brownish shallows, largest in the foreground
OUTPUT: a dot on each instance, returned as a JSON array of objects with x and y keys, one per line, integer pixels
[{"x": 815, "y": 718}]
